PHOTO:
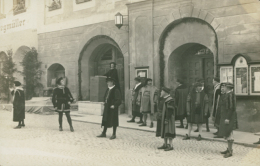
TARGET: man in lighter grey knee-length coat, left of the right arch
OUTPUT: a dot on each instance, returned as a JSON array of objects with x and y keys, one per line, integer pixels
[{"x": 148, "y": 97}]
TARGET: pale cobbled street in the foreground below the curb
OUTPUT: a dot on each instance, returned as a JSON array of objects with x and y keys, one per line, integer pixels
[{"x": 40, "y": 143}]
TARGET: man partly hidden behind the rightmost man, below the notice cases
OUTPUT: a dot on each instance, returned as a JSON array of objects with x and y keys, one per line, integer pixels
[{"x": 216, "y": 96}]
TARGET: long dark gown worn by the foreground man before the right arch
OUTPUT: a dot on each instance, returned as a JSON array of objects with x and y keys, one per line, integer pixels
[{"x": 168, "y": 114}]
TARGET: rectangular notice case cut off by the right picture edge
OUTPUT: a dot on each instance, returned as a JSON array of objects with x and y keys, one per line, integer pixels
[{"x": 255, "y": 79}]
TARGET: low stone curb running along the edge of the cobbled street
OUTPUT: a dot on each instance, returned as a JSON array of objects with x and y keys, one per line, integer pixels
[{"x": 203, "y": 138}]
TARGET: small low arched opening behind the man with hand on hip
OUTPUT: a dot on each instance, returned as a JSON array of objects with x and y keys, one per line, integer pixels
[{"x": 54, "y": 72}]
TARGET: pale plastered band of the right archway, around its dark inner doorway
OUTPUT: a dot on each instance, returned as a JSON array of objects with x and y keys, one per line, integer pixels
[{"x": 181, "y": 34}]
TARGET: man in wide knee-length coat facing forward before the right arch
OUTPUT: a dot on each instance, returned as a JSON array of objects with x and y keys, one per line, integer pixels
[{"x": 197, "y": 109}]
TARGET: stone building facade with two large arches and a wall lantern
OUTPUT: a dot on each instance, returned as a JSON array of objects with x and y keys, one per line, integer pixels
[{"x": 165, "y": 39}]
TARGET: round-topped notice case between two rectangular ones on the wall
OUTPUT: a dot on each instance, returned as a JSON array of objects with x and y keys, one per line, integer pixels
[{"x": 241, "y": 76}]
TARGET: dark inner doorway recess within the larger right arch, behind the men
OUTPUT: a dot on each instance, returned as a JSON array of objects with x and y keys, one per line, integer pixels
[{"x": 190, "y": 62}]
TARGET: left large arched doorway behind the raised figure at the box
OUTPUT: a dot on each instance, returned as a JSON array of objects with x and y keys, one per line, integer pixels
[{"x": 94, "y": 60}]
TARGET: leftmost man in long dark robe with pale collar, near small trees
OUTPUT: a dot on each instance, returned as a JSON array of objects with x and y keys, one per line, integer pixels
[{"x": 18, "y": 104}]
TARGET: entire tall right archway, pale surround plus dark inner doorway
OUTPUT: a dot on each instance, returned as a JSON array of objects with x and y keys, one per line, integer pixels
[{"x": 181, "y": 47}]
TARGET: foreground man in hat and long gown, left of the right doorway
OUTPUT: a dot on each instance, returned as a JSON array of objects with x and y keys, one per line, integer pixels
[{"x": 168, "y": 120}]
